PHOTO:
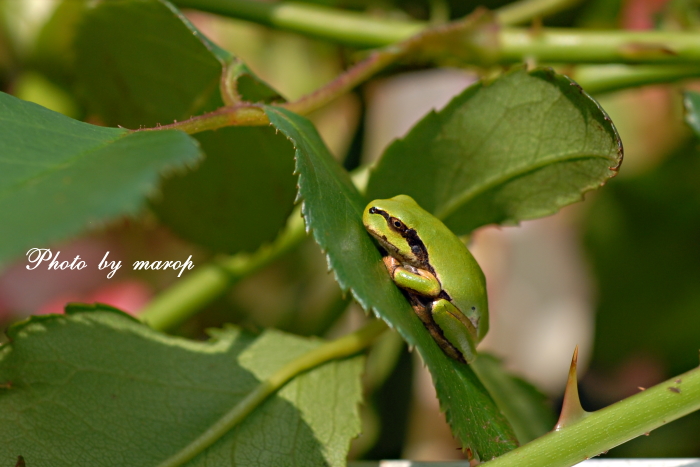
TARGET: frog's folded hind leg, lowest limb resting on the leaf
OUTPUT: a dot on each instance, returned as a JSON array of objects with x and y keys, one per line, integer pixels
[{"x": 456, "y": 328}]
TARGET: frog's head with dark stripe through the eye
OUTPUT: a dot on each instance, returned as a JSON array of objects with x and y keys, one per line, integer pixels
[{"x": 393, "y": 223}]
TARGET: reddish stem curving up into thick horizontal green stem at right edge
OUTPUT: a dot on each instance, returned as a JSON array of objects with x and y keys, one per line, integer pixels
[{"x": 470, "y": 42}]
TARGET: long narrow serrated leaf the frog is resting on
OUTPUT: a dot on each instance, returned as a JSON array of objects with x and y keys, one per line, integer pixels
[{"x": 332, "y": 208}]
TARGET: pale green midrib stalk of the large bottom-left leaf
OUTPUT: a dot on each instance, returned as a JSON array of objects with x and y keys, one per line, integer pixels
[{"x": 340, "y": 348}]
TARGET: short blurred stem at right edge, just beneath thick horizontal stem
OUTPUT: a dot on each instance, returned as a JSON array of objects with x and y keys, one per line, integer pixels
[{"x": 598, "y": 79}]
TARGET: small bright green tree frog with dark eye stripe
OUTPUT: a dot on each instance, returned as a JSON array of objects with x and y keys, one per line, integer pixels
[{"x": 436, "y": 271}]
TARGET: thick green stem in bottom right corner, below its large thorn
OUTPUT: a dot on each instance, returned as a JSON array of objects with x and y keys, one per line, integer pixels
[{"x": 609, "y": 427}]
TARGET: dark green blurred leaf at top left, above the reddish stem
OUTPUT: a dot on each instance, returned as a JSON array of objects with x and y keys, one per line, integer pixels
[{"x": 141, "y": 63}]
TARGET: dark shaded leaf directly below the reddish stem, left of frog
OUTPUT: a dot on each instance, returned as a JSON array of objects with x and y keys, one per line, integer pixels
[{"x": 239, "y": 197}]
